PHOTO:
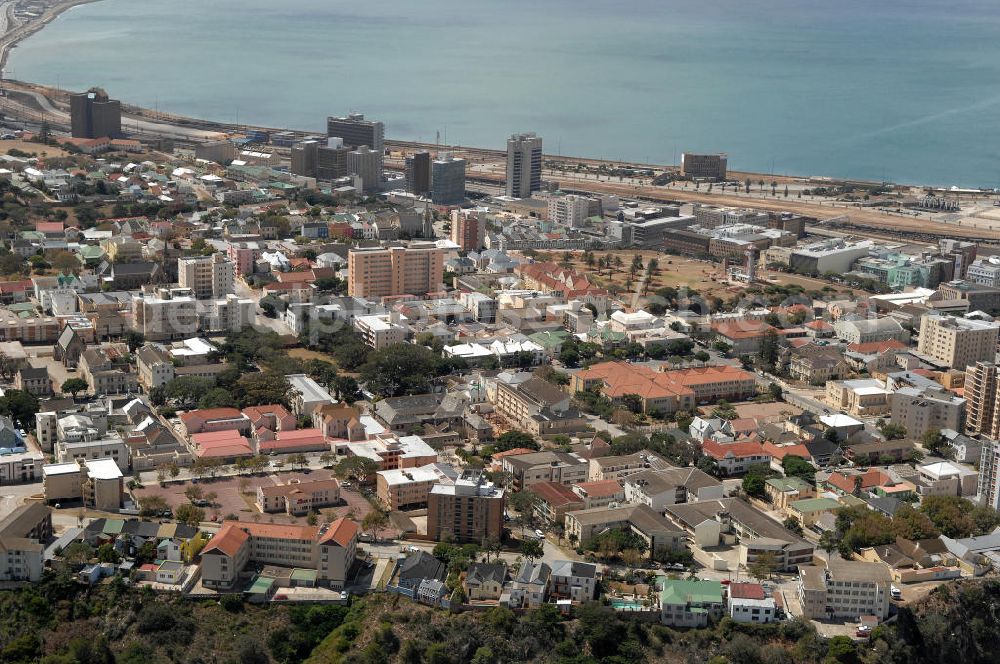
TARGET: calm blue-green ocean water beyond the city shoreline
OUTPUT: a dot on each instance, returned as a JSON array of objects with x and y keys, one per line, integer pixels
[{"x": 900, "y": 90}]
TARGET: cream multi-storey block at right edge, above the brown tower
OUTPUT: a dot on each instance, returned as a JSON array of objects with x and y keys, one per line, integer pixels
[{"x": 957, "y": 342}]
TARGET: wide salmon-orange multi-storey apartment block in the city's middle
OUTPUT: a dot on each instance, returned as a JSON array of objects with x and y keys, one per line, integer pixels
[{"x": 383, "y": 272}]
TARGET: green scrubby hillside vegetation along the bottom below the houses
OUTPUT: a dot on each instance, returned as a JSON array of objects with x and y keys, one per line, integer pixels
[{"x": 61, "y": 622}]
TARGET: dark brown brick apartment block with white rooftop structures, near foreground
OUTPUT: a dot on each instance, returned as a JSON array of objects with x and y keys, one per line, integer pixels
[{"x": 468, "y": 510}]
